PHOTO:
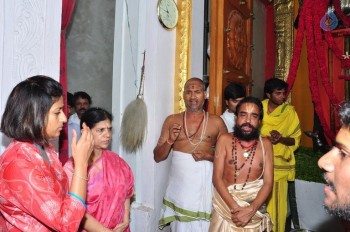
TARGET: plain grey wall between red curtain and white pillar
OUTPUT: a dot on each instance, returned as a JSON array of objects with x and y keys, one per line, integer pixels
[{"x": 90, "y": 38}]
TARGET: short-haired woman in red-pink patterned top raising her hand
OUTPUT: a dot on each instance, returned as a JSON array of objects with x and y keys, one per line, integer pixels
[{"x": 34, "y": 190}]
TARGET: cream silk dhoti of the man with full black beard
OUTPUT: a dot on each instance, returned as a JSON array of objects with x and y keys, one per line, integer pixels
[{"x": 221, "y": 216}]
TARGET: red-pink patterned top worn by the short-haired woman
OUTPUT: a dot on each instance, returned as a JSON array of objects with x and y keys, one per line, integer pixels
[{"x": 33, "y": 193}]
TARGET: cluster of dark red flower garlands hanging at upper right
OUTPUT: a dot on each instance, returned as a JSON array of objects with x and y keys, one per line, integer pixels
[{"x": 309, "y": 24}]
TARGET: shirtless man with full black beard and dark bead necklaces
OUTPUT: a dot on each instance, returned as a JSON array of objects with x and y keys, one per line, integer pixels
[{"x": 243, "y": 174}]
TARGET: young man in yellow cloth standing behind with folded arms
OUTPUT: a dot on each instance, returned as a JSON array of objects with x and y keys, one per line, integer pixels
[{"x": 281, "y": 125}]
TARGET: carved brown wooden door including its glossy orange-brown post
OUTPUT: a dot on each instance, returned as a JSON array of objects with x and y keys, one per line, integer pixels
[{"x": 231, "y": 46}]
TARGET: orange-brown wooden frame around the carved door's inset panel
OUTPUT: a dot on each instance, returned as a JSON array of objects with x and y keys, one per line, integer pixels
[{"x": 217, "y": 54}]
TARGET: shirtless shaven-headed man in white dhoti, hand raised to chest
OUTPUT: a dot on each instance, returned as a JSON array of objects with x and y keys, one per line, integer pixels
[{"x": 192, "y": 136}]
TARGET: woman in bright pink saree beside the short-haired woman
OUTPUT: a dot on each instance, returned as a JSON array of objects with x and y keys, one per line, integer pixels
[{"x": 110, "y": 179}]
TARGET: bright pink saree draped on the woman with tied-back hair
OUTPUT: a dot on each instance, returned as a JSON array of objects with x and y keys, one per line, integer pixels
[{"x": 110, "y": 183}]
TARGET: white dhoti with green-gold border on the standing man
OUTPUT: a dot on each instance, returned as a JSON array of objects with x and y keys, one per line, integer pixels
[{"x": 188, "y": 199}]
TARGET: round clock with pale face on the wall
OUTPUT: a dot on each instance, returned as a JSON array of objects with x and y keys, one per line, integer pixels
[{"x": 167, "y": 13}]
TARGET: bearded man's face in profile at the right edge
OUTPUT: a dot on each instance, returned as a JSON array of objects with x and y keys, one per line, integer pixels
[{"x": 336, "y": 163}]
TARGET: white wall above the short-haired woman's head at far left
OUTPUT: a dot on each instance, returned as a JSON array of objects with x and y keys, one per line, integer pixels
[{"x": 29, "y": 44}]
